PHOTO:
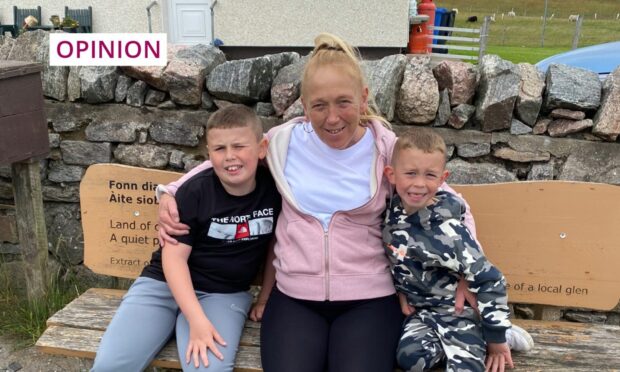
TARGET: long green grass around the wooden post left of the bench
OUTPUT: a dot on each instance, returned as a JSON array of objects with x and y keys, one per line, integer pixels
[{"x": 25, "y": 320}]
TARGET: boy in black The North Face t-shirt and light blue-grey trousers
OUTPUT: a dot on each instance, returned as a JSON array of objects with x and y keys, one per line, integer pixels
[{"x": 199, "y": 286}]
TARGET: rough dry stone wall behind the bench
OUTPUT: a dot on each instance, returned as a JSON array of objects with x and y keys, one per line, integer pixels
[{"x": 502, "y": 122}]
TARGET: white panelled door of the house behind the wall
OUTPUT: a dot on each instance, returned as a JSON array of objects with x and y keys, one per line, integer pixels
[{"x": 190, "y": 21}]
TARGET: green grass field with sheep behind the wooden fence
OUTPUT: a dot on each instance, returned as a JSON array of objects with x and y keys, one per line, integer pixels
[{"x": 519, "y": 39}]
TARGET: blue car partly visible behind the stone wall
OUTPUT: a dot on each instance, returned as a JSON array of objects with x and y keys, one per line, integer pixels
[{"x": 601, "y": 58}]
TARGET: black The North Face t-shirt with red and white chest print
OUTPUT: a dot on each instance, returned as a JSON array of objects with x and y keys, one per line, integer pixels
[{"x": 228, "y": 234}]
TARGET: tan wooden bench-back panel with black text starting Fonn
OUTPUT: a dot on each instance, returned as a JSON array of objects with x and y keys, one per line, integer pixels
[{"x": 119, "y": 217}]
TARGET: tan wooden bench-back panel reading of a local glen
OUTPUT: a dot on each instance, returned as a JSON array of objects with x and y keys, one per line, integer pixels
[{"x": 557, "y": 242}]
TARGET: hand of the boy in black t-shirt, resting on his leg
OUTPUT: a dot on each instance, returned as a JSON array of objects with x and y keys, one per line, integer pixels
[{"x": 203, "y": 337}]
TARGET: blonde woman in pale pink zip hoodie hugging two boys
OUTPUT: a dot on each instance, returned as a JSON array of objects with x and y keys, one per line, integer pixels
[{"x": 333, "y": 306}]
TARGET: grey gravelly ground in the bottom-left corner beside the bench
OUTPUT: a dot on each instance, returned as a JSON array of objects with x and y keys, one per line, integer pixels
[{"x": 30, "y": 360}]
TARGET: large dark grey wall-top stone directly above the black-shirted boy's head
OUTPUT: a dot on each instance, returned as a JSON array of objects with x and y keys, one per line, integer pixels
[{"x": 242, "y": 81}]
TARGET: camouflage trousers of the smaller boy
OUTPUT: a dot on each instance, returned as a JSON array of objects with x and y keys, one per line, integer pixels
[{"x": 430, "y": 337}]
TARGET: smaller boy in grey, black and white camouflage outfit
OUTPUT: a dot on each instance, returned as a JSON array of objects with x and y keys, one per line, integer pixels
[{"x": 430, "y": 250}]
